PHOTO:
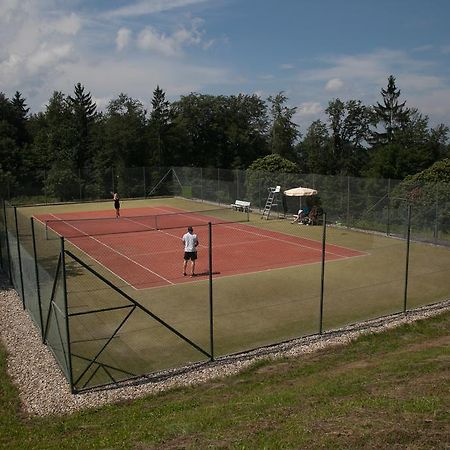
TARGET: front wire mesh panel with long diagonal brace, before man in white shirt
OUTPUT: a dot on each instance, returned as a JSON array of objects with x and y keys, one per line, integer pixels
[{"x": 131, "y": 309}]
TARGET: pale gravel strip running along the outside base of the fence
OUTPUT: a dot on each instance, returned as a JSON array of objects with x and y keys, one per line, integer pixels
[{"x": 44, "y": 390}]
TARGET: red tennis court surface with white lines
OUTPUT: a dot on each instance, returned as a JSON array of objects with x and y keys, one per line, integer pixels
[{"x": 147, "y": 259}]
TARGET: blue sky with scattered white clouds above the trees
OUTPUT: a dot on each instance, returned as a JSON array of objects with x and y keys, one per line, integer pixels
[{"x": 313, "y": 50}]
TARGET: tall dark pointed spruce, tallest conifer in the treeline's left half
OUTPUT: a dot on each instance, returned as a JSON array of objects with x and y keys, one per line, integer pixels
[{"x": 84, "y": 113}]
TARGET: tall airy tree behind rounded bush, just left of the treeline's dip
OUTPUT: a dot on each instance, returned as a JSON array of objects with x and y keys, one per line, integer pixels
[{"x": 283, "y": 133}]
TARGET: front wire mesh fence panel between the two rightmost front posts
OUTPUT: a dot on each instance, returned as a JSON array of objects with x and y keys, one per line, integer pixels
[{"x": 367, "y": 285}]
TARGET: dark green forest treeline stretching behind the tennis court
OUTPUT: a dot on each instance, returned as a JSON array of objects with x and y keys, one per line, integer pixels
[{"x": 386, "y": 140}]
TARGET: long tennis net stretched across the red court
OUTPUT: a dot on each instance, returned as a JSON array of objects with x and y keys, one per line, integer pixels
[{"x": 96, "y": 226}]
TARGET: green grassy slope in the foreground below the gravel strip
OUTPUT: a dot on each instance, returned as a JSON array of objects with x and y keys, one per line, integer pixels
[{"x": 382, "y": 391}]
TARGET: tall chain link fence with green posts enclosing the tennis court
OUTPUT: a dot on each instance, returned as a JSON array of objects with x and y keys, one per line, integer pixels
[{"x": 369, "y": 257}]
